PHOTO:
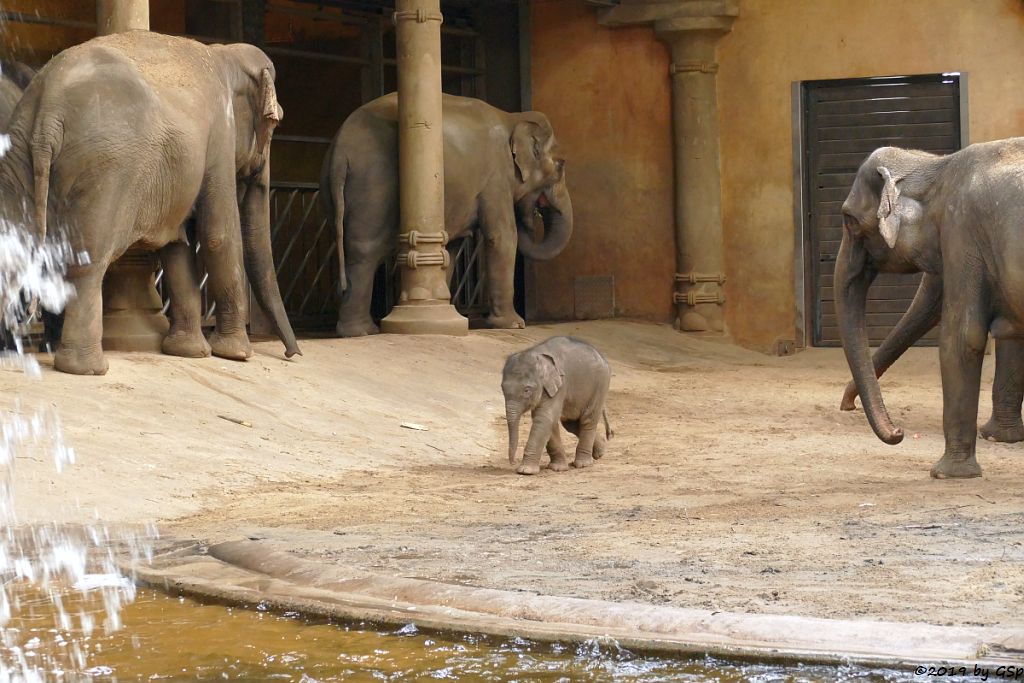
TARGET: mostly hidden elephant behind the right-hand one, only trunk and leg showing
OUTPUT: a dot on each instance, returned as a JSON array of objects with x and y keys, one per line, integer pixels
[{"x": 1008, "y": 389}]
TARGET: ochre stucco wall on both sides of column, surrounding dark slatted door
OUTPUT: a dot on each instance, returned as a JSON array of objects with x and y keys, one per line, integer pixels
[{"x": 609, "y": 96}]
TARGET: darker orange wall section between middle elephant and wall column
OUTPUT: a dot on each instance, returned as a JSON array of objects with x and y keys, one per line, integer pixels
[{"x": 608, "y": 96}]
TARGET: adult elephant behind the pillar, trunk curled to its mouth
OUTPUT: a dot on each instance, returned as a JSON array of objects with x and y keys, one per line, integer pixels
[{"x": 499, "y": 169}]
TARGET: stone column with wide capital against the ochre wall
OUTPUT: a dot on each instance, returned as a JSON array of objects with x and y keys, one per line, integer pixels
[{"x": 692, "y": 30}]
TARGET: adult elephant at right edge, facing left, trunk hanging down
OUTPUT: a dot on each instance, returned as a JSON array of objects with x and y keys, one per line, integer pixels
[{"x": 960, "y": 220}]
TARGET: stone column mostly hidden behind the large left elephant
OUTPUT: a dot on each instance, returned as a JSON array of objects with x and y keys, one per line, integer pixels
[{"x": 133, "y": 318}]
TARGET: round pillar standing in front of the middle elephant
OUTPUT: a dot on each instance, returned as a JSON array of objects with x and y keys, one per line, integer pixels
[{"x": 424, "y": 306}]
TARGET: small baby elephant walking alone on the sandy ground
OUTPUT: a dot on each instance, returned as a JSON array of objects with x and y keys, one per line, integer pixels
[{"x": 560, "y": 380}]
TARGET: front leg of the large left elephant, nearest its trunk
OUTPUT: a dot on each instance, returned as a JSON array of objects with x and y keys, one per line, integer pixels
[{"x": 221, "y": 235}]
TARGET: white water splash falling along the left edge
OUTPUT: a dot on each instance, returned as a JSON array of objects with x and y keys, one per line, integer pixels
[{"x": 67, "y": 575}]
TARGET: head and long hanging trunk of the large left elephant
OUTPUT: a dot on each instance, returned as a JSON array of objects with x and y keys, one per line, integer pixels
[{"x": 254, "y": 113}]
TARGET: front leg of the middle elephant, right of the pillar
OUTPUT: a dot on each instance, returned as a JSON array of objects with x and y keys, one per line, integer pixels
[{"x": 499, "y": 228}]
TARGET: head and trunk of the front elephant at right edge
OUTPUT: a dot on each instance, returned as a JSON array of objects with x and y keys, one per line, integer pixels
[{"x": 886, "y": 229}]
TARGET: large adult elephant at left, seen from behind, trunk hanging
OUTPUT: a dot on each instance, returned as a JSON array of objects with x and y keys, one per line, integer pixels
[{"x": 121, "y": 140}]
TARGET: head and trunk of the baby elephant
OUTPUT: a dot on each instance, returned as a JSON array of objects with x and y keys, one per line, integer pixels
[{"x": 527, "y": 379}]
